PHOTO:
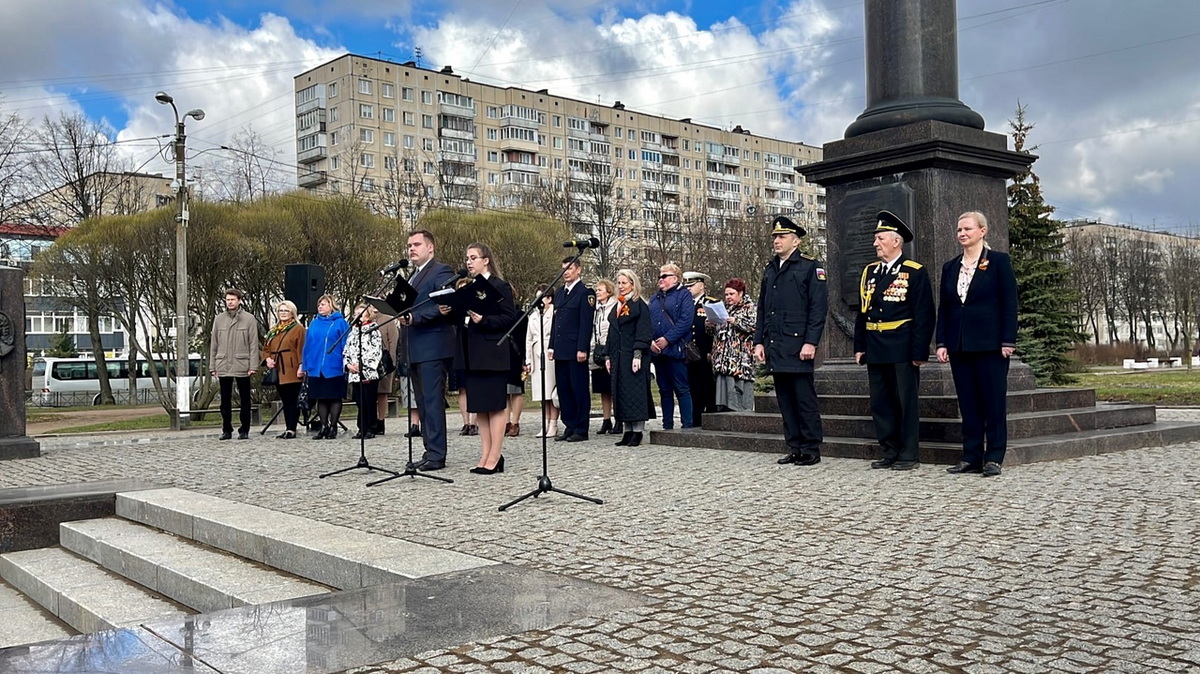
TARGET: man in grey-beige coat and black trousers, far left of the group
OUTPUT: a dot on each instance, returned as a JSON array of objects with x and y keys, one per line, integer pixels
[{"x": 233, "y": 357}]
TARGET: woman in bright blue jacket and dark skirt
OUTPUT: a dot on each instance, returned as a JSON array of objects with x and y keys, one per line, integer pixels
[{"x": 323, "y": 365}]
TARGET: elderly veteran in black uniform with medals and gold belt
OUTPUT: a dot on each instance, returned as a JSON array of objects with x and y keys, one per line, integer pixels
[{"x": 892, "y": 334}]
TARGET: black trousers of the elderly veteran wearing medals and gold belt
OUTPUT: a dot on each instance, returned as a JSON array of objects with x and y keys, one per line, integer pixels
[{"x": 895, "y": 408}]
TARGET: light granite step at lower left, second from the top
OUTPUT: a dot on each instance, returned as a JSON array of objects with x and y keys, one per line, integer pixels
[{"x": 193, "y": 575}]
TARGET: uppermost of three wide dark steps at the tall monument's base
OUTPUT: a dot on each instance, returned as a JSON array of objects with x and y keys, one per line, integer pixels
[{"x": 947, "y": 407}]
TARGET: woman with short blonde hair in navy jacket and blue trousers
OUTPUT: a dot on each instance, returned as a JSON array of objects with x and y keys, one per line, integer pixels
[{"x": 671, "y": 315}]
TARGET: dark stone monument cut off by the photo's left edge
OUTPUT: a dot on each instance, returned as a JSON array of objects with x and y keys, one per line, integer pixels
[{"x": 14, "y": 441}]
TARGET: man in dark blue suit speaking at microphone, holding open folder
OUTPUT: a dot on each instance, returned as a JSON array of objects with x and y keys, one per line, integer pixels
[{"x": 431, "y": 345}]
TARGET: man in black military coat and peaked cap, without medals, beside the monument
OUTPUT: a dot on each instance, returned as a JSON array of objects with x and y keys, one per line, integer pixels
[{"x": 793, "y": 304}]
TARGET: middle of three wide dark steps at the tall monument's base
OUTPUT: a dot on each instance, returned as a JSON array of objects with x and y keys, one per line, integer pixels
[{"x": 1025, "y": 425}]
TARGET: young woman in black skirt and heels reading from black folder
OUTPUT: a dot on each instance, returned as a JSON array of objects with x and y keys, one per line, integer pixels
[{"x": 488, "y": 362}]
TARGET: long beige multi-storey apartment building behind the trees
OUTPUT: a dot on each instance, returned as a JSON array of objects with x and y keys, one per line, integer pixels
[{"x": 406, "y": 139}]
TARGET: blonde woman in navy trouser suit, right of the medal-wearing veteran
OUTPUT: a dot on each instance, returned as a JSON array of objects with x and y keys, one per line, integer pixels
[{"x": 976, "y": 335}]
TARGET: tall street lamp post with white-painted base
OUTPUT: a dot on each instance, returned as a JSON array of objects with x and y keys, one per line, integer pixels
[{"x": 183, "y": 372}]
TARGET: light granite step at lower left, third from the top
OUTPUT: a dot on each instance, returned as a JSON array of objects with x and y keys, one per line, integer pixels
[{"x": 80, "y": 593}]
